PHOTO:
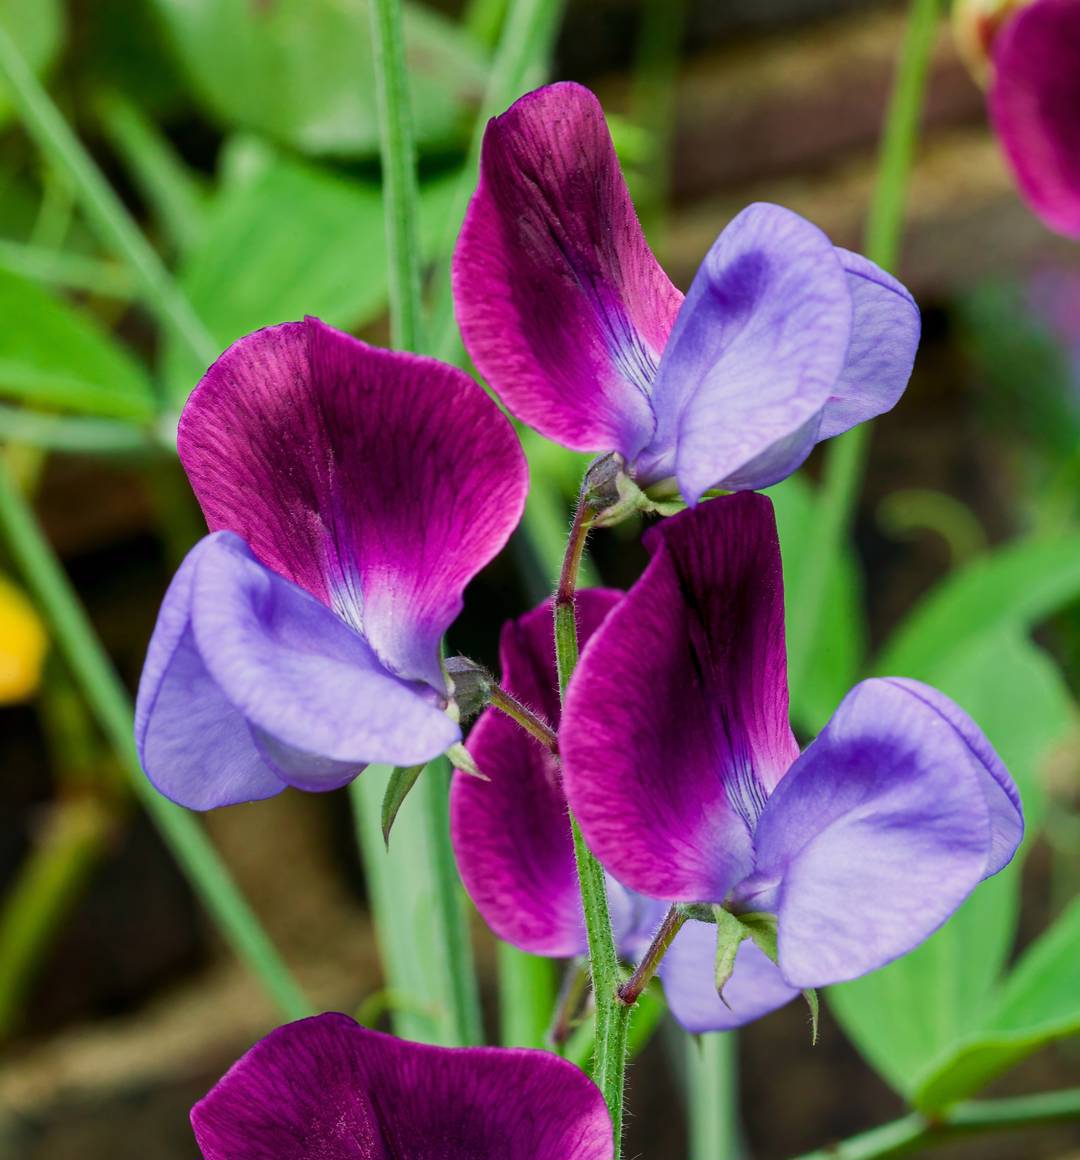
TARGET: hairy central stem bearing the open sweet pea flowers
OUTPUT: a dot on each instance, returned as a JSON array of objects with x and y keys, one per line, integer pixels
[{"x": 613, "y": 1018}]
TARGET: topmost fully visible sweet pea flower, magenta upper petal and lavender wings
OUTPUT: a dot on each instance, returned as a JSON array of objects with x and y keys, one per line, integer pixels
[{"x": 782, "y": 342}]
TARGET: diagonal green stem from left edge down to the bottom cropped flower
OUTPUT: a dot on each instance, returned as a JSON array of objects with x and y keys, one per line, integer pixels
[{"x": 112, "y": 707}]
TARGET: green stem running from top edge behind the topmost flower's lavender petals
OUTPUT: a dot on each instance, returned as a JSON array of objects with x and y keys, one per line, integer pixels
[{"x": 846, "y": 456}]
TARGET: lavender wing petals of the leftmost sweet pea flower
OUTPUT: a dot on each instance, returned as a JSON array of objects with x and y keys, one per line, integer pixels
[{"x": 245, "y": 661}]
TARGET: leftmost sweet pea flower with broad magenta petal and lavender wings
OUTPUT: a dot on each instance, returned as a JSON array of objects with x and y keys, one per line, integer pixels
[{"x": 352, "y": 494}]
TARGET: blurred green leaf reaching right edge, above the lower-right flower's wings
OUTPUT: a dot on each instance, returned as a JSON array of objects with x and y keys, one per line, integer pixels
[{"x": 1016, "y": 586}]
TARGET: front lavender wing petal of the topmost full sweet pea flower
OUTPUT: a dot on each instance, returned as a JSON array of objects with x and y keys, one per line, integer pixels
[{"x": 758, "y": 350}]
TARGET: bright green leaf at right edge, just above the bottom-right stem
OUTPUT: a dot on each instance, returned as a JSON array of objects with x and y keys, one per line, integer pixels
[{"x": 1039, "y": 1004}]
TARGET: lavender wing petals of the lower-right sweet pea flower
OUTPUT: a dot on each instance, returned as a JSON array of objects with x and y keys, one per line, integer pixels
[{"x": 879, "y": 832}]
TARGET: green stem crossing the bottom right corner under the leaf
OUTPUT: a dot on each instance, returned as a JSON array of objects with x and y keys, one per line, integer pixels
[{"x": 914, "y": 1134}]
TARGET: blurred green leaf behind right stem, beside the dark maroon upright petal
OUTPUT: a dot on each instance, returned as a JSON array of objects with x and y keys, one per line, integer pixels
[{"x": 843, "y": 641}]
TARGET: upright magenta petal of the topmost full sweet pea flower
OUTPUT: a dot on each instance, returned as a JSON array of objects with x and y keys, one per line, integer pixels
[{"x": 561, "y": 302}]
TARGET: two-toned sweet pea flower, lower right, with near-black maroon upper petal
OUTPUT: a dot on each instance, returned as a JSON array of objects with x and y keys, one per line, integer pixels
[{"x": 682, "y": 767}]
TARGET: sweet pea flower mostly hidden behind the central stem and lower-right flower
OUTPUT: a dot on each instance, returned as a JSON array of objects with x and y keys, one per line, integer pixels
[{"x": 516, "y": 852}]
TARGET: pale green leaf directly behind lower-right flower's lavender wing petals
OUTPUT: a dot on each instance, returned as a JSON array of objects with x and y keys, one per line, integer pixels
[{"x": 907, "y": 1016}]
